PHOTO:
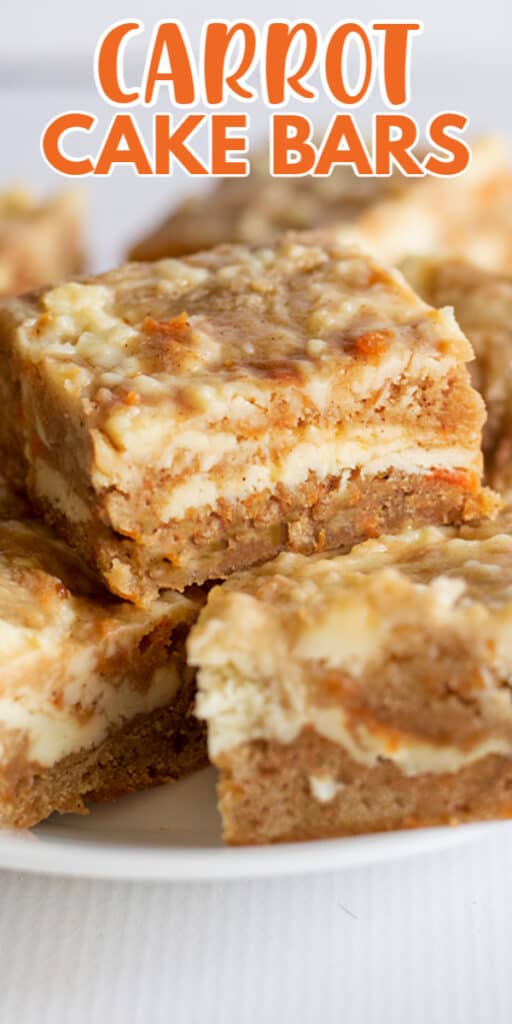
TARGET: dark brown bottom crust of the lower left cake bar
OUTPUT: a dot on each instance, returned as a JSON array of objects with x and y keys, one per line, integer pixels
[{"x": 150, "y": 750}]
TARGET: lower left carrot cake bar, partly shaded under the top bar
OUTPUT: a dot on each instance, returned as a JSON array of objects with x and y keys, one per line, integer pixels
[{"x": 96, "y": 700}]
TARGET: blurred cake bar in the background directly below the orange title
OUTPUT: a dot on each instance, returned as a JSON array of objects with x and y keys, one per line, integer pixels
[{"x": 391, "y": 217}]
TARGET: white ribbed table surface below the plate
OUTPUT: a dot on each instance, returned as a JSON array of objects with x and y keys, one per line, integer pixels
[{"x": 422, "y": 942}]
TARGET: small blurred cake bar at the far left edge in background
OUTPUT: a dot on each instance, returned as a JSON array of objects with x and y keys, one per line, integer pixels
[{"x": 40, "y": 242}]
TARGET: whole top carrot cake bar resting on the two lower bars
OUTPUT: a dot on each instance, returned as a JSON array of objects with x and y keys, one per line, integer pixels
[{"x": 185, "y": 419}]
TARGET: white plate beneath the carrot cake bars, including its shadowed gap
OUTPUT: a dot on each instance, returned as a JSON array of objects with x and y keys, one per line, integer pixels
[{"x": 174, "y": 834}]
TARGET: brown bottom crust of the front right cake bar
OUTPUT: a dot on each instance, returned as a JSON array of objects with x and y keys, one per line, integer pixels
[{"x": 267, "y": 794}]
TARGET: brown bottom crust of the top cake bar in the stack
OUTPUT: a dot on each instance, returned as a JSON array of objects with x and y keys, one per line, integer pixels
[{"x": 321, "y": 517}]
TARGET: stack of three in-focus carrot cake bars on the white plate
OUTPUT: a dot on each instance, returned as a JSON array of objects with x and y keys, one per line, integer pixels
[{"x": 180, "y": 423}]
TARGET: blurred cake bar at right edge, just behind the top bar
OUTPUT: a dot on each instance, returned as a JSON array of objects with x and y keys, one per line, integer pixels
[{"x": 483, "y": 305}]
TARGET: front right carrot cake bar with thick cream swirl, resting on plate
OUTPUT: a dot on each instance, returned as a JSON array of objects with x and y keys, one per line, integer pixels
[{"x": 363, "y": 693}]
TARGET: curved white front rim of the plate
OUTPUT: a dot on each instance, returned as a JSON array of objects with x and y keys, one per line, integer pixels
[{"x": 82, "y": 859}]
